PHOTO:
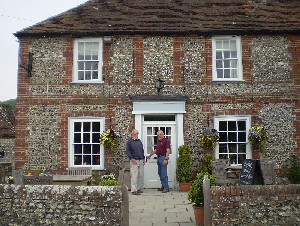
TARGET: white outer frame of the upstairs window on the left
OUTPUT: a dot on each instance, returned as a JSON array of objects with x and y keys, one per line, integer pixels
[{"x": 76, "y": 60}]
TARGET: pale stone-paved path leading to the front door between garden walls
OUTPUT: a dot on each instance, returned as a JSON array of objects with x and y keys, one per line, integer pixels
[{"x": 154, "y": 208}]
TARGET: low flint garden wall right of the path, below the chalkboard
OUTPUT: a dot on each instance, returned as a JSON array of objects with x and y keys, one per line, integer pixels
[{"x": 256, "y": 205}]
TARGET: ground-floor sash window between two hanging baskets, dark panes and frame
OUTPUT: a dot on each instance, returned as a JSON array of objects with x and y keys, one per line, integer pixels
[{"x": 233, "y": 143}]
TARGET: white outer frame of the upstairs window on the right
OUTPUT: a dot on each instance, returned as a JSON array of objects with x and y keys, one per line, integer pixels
[{"x": 238, "y": 57}]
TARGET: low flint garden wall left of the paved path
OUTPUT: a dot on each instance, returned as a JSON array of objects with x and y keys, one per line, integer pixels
[{"x": 63, "y": 205}]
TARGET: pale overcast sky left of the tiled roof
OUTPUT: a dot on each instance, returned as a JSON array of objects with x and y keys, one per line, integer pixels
[{"x": 16, "y": 15}]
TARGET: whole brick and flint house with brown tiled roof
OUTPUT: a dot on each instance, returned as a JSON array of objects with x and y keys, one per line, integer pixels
[{"x": 226, "y": 64}]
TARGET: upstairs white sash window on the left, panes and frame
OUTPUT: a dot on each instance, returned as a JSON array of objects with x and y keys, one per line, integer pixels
[{"x": 88, "y": 60}]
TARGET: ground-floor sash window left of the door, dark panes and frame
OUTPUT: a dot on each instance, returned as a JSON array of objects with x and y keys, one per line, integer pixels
[{"x": 84, "y": 144}]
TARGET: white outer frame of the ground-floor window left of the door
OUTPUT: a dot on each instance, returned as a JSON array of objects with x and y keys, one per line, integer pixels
[{"x": 71, "y": 153}]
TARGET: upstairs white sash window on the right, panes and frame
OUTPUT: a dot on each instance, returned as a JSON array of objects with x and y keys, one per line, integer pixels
[{"x": 227, "y": 58}]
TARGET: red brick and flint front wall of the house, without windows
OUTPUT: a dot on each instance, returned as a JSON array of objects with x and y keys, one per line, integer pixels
[{"x": 269, "y": 92}]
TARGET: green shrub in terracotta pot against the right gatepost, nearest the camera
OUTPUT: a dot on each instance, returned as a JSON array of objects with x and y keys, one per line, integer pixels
[{"x": 196, "y": 195}]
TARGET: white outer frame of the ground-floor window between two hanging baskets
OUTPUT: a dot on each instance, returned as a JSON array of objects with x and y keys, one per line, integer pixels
[{"x": 247, "y": 119}]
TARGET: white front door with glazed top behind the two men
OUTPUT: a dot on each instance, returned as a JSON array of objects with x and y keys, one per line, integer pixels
[{"x": 151, "y": 178}]
